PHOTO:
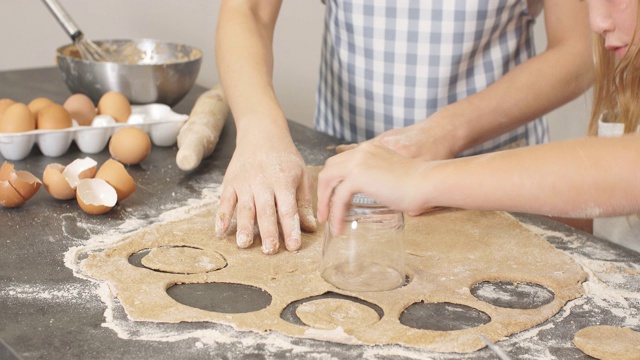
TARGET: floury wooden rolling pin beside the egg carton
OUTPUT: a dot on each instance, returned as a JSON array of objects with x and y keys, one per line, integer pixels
[{"x": 199, "y": 135}]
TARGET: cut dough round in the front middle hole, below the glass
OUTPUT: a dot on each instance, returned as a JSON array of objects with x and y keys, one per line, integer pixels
[{"x": 331, "y": 313}]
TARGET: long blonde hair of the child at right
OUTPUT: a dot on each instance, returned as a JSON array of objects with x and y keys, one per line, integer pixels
[{"x": 616, "y": 89}]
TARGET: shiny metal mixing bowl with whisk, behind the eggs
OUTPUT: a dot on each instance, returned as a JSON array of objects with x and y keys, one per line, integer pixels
[{"x": 146, "y": 70}]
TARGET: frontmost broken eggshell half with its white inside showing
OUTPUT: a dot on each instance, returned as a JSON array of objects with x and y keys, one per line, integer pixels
[{"x": 96, "y": 196}]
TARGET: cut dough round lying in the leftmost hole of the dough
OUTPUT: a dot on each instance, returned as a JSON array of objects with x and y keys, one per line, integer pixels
[{"x": 183, "y": 260}]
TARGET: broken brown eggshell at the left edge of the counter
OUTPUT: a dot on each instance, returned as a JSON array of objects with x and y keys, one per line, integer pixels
[{"x": 16, "y": 187}]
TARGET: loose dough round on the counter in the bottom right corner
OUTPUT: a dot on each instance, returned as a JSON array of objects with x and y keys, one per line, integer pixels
[{"x": 608, "y": 342}]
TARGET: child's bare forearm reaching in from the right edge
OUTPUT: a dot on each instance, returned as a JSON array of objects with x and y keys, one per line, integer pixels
[{"x": 584, "y": 178}]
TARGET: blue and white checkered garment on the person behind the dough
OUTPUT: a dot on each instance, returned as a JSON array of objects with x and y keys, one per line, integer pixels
[{"x": 391, "y": 63}]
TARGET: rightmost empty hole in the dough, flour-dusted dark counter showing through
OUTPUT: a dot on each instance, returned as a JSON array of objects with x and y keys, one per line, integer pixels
[{"x": 512, "y": 295}]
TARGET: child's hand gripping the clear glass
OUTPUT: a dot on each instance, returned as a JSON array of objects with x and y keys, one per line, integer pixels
[{"x": 371, "y": 169}]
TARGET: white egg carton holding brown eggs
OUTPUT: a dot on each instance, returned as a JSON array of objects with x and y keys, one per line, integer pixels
[{"x": 158, "y": 120}]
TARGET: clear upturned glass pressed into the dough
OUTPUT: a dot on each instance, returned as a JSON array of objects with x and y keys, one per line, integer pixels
[{"x": 370, "y": 254}]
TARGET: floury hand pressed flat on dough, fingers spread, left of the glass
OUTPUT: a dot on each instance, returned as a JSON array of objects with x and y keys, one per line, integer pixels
[{"x": 266, "y": 181}]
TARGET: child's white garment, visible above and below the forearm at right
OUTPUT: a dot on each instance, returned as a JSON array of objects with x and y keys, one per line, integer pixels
[{"x": 621, "y": 230}]
